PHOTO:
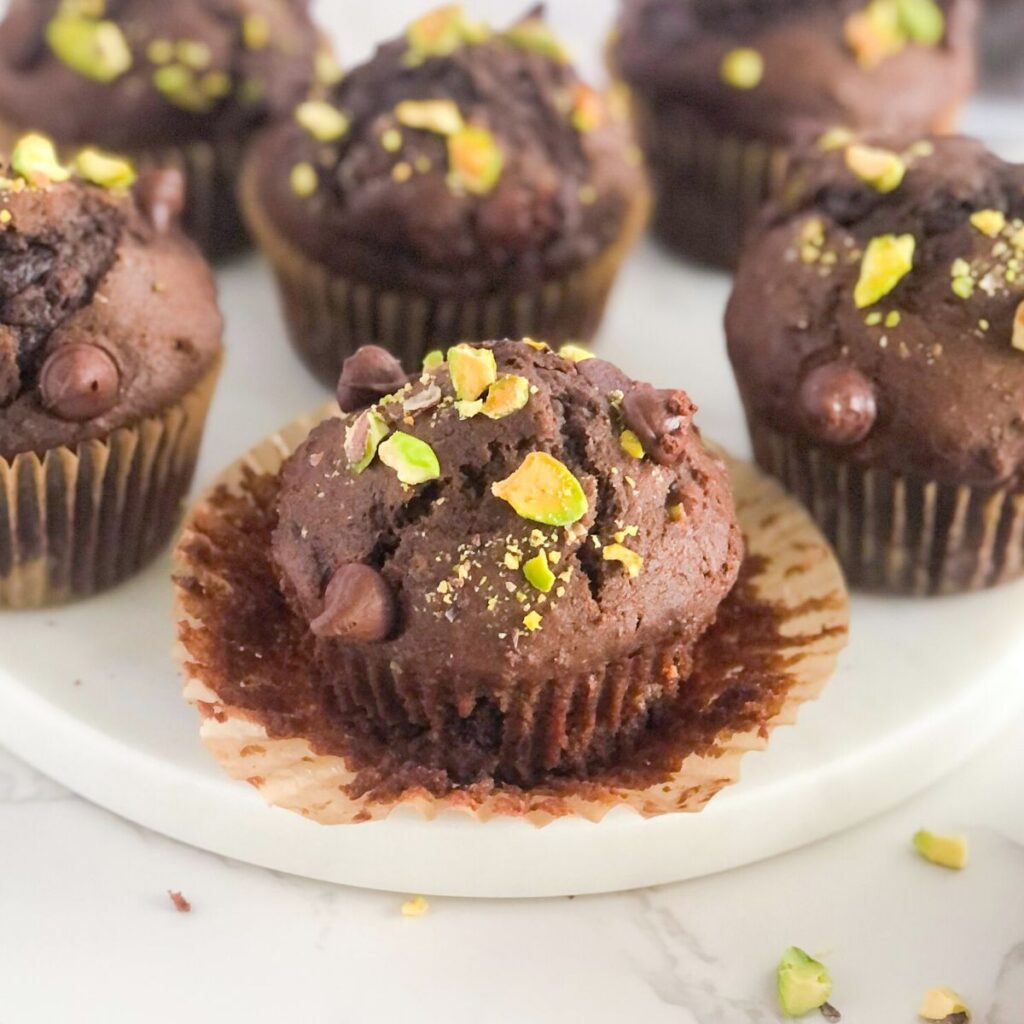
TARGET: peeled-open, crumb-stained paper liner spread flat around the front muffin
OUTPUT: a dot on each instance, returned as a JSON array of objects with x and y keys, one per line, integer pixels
[{"x": 774, "y": 648}]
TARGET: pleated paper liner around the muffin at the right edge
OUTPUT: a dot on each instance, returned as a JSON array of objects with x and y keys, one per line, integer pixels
[{"x": 903, "y": 535}]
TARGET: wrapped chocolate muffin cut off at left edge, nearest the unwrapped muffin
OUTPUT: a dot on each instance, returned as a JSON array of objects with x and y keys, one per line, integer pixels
[{"x": 110, "y": 345}]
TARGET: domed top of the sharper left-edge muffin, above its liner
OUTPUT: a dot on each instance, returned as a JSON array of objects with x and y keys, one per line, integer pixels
[{"x": 108, "y": 314}]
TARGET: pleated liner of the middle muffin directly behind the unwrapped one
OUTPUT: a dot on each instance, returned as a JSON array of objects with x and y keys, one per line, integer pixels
[{"x": 329, "y": 317}]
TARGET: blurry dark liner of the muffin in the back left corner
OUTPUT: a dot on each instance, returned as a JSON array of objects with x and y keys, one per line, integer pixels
[{"x": 211, "y": 172}]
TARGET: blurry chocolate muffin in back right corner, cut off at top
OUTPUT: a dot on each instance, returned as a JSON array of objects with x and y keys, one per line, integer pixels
[{"x": 724, "y": 90}]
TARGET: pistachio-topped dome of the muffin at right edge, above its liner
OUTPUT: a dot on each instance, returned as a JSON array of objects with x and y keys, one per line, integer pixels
[{"x": 881, "y": 310}]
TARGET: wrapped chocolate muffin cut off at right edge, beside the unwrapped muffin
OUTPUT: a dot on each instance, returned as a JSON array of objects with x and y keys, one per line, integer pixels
[{"x": 877, "y": 332}]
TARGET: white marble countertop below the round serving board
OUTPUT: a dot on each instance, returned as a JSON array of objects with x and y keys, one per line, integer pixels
[{"x": 89, "y": 933}]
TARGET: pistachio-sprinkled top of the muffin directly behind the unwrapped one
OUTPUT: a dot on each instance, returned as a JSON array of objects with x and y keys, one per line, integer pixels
[{"x": 457, "y": 158}]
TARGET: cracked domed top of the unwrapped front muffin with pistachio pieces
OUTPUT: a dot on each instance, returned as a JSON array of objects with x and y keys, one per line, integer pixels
[{"x": 511, "y": 509}]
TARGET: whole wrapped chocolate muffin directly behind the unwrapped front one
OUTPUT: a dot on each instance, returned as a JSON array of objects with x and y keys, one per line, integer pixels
[{"x": 464, "y": 185}]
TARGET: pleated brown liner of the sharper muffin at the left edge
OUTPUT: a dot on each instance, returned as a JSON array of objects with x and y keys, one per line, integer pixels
[{"x": 77, "y": 521}]
